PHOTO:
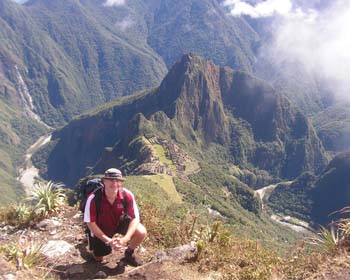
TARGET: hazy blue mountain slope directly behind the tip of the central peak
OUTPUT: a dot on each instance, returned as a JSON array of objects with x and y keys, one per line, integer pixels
[{"x": 203, "y": 27}]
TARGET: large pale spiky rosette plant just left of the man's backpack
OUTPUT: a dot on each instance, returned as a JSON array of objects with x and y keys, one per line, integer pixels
[{"x": 47, "y": 197}]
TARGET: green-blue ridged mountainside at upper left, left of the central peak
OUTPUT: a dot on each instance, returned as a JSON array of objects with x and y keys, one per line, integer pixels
[{"x": 57, "y": 61}]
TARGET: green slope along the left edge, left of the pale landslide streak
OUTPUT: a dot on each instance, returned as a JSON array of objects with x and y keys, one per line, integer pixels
[{"x": 18, "y": 126}]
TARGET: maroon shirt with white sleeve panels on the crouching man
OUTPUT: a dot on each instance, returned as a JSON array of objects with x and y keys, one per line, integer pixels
[{"x": 110, "y": 214}]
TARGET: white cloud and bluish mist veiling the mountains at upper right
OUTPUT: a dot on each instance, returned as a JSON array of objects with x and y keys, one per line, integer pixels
[{"x": 303, "y": 53}]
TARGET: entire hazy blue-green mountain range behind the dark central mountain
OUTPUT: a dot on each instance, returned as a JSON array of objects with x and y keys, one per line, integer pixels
[{"x": 63, "y": 57}]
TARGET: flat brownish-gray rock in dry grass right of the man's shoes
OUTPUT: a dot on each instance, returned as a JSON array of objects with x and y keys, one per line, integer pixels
[{"x": 181, "y": 253}]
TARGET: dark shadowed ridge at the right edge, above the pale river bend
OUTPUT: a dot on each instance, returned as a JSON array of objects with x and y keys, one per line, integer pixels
[{"x": 316, "y": 198}]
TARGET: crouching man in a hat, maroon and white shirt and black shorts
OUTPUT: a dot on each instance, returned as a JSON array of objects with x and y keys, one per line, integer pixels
[{"x": 118, "y": 213}]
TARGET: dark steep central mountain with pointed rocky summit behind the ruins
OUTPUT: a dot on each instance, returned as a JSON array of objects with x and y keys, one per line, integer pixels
[{"x": 197, "y": 104}]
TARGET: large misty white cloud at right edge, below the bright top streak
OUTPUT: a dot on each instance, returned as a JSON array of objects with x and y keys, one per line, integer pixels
[{"x": 321, "y": 45}]
